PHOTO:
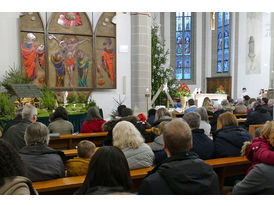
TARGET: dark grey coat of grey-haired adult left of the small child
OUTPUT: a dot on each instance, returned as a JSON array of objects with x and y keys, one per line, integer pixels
[{"x": 42, "y": 162}]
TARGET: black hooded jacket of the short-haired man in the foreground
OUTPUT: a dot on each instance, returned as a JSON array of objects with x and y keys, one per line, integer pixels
[{"x": 181, "y": 174}]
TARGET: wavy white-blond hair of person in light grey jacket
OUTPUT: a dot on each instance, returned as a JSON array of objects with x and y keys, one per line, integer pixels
[{"x": 125, "y": 134}]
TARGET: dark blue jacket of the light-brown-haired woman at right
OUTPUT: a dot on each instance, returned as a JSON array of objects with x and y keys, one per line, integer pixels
[{"x": 229, "y": 141}]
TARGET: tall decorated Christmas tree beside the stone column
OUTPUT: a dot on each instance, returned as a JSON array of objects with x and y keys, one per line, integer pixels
[{"x": 160, "y": 73}]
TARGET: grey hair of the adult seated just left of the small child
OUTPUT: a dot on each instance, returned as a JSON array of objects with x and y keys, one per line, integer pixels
[{"x": 37, "y": 133}]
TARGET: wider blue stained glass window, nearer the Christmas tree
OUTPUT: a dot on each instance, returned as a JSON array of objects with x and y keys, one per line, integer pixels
[{"x": 183, "y": 45}]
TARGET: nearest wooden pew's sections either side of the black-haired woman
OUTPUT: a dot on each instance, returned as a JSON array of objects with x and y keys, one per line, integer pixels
[{"x": 69, "y": 185}]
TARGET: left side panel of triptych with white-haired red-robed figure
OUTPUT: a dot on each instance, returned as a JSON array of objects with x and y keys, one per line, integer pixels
[{"x": 32, "y": 47}]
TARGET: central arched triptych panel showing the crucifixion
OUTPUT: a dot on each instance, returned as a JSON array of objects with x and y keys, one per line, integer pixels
[{"x": 70, "y": 51}]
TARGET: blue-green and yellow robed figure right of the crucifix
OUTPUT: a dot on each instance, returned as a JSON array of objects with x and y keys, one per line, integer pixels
[{"x": 82, "y": 63}]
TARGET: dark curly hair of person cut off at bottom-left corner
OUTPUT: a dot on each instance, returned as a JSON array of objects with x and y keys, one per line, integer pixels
[{"x": 10, "y": 162}]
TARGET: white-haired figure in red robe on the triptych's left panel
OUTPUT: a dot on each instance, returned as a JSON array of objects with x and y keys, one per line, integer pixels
[{"x": 30, "y": 54}]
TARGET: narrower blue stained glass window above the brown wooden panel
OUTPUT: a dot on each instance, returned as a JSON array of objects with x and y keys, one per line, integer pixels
[{"x": 223, "y": 42}]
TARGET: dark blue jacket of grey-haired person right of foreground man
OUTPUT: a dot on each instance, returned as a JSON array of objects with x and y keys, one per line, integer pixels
[{"x": 202, "y": 144}]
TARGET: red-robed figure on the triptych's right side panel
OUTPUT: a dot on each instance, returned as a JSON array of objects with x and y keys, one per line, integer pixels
[{"x": 107, "y": 60}]
